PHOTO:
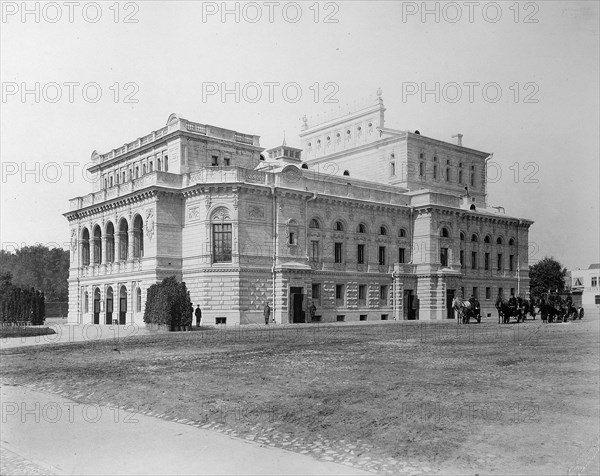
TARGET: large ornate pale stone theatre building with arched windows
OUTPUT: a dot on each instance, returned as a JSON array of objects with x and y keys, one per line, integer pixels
[{"x": 364, "y": 221}]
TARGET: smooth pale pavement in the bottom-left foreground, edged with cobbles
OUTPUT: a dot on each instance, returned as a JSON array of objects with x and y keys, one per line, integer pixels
[{"x": 72, "y": 445}]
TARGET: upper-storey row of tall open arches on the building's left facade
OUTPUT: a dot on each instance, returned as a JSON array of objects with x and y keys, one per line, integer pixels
[{"x": 113, "y": 252}]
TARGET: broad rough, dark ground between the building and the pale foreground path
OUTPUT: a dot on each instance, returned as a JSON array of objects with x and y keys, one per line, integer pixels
[{"x": 513, "y": 399}]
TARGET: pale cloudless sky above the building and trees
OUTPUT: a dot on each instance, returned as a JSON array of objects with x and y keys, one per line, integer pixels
[{"x": 541, "y": 56}]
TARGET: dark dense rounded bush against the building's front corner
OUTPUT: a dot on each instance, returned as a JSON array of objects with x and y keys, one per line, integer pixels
[{"x": 168, "y": 303}]
